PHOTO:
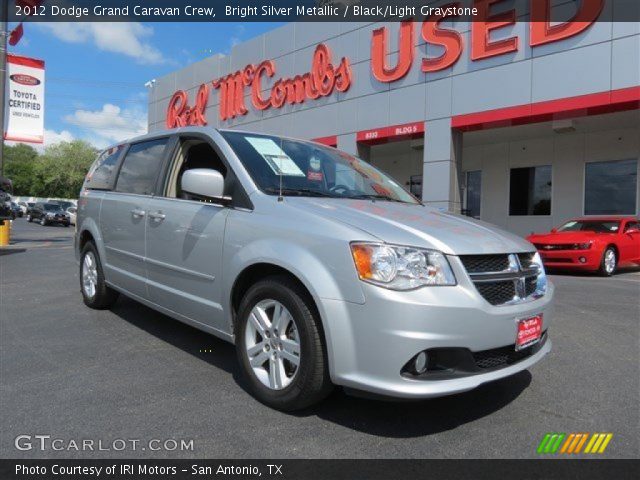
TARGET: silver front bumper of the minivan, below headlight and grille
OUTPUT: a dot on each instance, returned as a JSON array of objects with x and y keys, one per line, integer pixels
[{"x": 369, "y": 344}]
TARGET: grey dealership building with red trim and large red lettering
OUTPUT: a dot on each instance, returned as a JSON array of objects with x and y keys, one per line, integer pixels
[{"x": 520, "y": 124}]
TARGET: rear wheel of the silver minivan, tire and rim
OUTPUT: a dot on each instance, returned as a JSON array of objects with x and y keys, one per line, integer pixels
[{"x": 95, "y": 292}]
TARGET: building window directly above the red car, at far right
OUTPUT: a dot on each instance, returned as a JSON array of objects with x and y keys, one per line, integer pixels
[{"x": 610, "y": 188}]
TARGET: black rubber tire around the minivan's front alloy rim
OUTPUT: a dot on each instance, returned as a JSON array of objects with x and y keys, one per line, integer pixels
[{"x": 311, "y": 383}]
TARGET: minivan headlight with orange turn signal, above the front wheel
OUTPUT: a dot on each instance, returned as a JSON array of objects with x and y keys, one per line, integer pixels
[{"x": 401, "y": 268}]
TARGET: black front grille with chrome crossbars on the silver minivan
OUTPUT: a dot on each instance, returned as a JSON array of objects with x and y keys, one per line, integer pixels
[{"x": 505, "y": 278}]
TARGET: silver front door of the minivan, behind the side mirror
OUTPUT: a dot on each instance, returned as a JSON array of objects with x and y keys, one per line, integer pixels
[{"x": 184, "y": 241}]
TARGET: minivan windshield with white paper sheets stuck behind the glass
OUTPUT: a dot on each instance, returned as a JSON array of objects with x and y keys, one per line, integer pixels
[{"x": 309, "y": 169}]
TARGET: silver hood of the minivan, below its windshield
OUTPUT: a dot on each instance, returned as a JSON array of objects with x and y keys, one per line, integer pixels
[{"x": 415, "y": 225}]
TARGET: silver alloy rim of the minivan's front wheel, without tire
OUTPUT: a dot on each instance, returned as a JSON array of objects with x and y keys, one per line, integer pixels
[{"x": 272, "y": 344}]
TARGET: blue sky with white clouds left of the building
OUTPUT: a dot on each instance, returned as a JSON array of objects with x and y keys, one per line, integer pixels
[{"x": 95, "y": 72}]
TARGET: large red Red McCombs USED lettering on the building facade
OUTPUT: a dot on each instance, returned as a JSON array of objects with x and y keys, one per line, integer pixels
[{"x": 324, "y": 77}]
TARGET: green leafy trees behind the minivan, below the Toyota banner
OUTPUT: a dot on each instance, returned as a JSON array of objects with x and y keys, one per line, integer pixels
[{"x": 58, "y": 172}]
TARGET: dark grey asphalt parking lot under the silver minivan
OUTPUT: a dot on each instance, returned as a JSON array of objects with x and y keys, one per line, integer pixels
[{"x": 131, "y": 373}]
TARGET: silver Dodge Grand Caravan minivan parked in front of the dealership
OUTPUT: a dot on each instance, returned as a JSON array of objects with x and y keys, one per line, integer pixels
[{"x": 321, "y": 269}]
